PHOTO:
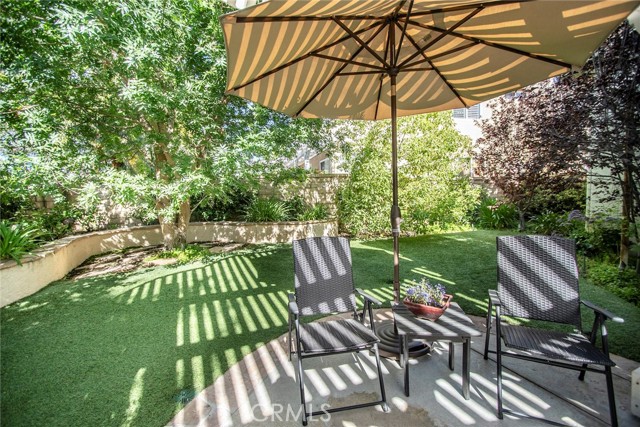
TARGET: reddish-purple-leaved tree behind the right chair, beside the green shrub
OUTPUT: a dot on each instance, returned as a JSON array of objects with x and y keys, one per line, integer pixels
[{"x": 525, "y": 149}]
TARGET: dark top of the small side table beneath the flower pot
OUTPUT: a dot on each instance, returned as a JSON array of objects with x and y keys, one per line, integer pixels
[{"x": 453, "y": 323}]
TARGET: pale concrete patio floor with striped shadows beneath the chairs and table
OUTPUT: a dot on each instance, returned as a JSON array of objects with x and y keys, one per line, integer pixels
[{"x": 262, "y": 390}]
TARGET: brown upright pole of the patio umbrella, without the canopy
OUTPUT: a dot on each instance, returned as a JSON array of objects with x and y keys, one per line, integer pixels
[{"x": 396, "y": 217}]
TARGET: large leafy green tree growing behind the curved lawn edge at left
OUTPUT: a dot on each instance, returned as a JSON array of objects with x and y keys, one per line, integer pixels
[{"x": 139, "y": 84}]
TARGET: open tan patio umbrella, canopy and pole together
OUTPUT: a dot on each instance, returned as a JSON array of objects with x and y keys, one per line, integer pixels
[{"x": 380, "y": 59}]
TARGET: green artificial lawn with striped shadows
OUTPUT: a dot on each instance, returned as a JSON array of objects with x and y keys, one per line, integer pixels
[{"x": 117, "y": 350}]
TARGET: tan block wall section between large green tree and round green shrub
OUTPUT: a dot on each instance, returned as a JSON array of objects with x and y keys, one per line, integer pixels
[{"x": 318, "y": 188}]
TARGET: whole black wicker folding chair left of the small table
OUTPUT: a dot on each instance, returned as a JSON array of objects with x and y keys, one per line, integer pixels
[{"x": 324, "y": 285}]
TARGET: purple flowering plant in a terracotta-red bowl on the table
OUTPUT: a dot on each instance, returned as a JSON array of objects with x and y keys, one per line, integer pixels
[{"x": 427, "y": 300}]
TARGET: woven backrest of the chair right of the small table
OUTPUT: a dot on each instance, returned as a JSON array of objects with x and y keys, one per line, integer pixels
[{"x": 538, "y": 278}]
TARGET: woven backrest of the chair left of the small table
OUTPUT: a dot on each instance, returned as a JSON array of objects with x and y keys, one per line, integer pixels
[{"x": 323, "y": 276}]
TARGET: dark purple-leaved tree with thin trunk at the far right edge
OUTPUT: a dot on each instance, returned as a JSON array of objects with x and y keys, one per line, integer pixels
[{"x": 609, "y": 88}]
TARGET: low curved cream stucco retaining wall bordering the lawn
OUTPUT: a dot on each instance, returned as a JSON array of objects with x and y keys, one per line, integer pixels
[{"x": 54, "y": 260}]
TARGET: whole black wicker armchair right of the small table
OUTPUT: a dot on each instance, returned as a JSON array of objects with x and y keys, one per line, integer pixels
[{"x": 538, "y": 279}]
